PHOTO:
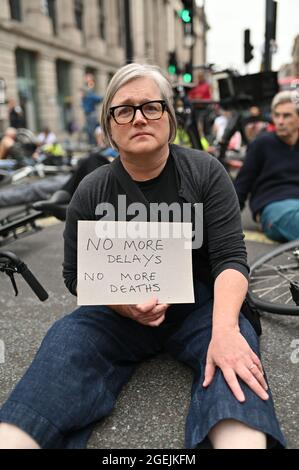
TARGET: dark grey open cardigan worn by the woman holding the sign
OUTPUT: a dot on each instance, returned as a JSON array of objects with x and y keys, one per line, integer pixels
[{"x": 202, "y": 180}]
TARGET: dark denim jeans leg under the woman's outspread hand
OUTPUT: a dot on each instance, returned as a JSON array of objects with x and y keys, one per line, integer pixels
[{"x": 210, "y": 405}]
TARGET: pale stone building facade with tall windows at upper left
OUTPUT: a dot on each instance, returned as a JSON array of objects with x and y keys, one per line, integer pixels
[{"x": 46, "y": 47}]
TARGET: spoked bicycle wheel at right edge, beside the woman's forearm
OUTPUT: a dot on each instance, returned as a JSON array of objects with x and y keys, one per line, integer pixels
[{"x": 255, "y": 271}]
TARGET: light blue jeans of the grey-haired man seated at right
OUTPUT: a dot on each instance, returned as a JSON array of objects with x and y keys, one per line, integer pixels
[{"x": 280, "y": 220}]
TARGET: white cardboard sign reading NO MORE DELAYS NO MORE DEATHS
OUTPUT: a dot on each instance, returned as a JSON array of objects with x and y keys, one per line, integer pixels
[{"x": 133, "y": 262}]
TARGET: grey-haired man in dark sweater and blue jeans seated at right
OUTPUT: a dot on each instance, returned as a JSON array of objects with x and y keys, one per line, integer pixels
[{"x": 270, "y": 174}]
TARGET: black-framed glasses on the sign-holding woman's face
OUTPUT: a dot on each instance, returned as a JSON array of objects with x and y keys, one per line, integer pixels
[{"x": 125, "y": 113}]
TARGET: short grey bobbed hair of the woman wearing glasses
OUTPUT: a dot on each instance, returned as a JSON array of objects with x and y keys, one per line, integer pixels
[{"x": 127, "y": 74}]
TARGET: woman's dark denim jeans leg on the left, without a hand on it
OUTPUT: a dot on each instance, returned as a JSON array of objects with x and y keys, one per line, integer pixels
[{"x": 76, "y": 376}]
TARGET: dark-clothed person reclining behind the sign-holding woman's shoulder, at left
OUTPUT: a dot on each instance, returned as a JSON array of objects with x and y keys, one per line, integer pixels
[{"x": 58, "y": 202}]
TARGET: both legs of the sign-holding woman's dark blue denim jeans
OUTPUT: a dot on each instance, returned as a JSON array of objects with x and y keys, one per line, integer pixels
[{"x": 87, "y": 357}]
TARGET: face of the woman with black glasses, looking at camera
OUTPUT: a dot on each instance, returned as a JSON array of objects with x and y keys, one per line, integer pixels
[{"x": 141, "y": 136}]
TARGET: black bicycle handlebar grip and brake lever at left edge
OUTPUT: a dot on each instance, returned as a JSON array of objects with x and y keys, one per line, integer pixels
[{"x": 10, "y": 264}]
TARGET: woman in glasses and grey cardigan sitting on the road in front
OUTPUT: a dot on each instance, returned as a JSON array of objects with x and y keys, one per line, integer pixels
[{"x": 88, "y": 356}]
